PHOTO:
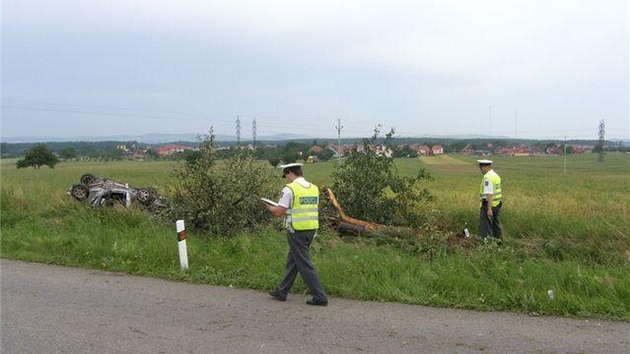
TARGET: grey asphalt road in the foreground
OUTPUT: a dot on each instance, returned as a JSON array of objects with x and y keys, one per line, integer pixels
[{"x": 52, "y": 309}]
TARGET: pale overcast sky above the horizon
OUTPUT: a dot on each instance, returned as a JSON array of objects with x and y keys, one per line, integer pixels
[{"x": 523, "y": 68}]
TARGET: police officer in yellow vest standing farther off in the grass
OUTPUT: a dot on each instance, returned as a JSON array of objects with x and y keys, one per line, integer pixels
[{"x": 491, "y": 202}]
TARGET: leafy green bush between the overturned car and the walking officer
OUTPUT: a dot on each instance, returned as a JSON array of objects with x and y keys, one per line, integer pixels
[{"x": 221, "y": 197}]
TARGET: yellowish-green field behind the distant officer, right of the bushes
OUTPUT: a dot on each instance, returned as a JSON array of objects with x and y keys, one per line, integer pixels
[{"x": 582, "y": 214}]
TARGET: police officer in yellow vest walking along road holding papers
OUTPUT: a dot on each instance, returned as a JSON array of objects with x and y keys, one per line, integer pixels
[{"x": 299, "y": 204}]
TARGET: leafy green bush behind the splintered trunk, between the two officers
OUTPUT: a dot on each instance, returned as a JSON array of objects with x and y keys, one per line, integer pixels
[{"x": 368, "y": 187}]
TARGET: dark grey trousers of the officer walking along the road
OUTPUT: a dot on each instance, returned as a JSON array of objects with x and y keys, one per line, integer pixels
[{"x": 299, "y": 261}]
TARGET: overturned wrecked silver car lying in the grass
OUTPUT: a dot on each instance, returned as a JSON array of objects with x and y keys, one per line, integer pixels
[{"x": 104, "y": 191}]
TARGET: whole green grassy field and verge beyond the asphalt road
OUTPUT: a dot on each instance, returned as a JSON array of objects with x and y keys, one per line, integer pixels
[{"x": 567, "y": 229}]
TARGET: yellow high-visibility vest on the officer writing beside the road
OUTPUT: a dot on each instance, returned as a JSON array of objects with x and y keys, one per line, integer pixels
[{"x": 304, "y": 214}]
